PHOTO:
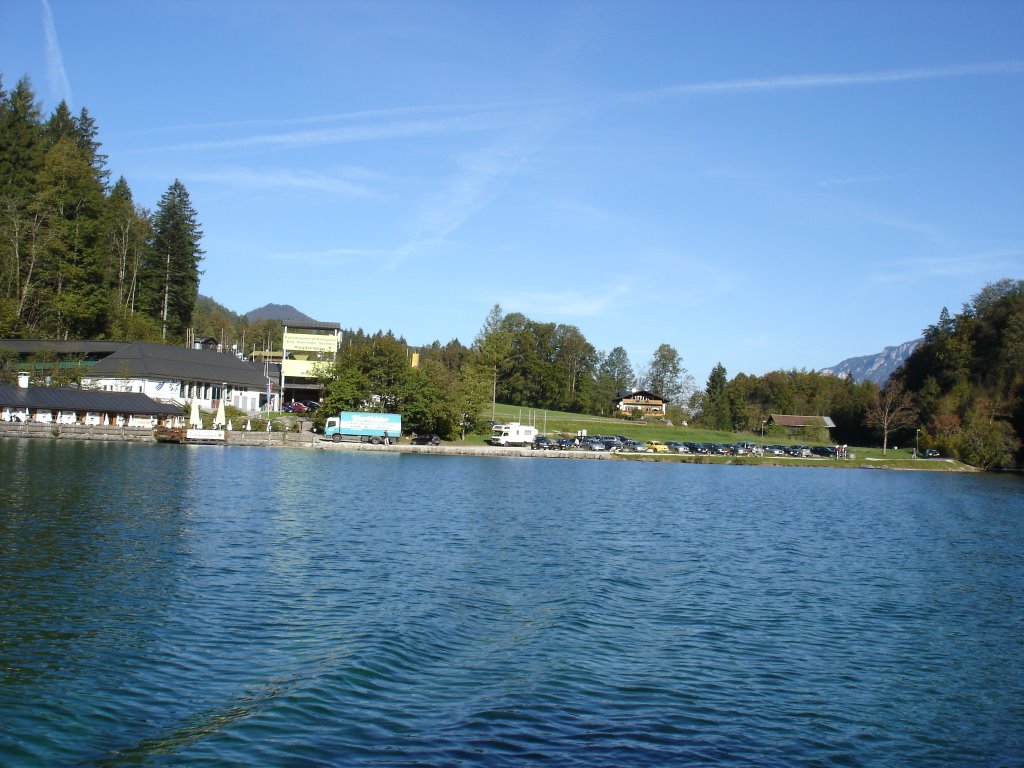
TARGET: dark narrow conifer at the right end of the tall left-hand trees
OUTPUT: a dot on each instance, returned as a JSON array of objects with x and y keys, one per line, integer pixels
[{"x": 173, "y": 267}]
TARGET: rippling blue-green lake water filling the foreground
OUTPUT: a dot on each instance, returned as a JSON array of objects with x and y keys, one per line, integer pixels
[{"x": 167, "y": 606}]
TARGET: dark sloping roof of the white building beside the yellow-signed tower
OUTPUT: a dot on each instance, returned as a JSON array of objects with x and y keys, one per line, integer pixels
[{"x": 144, "y": 361}]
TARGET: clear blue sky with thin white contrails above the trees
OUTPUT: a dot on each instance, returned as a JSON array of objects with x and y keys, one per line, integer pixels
[{"x": 765, "y": 185}]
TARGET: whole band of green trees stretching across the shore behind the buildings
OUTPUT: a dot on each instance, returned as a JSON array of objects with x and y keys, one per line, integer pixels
[{"x": 81, "y": 260}]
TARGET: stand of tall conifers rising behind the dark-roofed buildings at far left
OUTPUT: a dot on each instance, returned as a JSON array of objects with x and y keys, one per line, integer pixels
[{"x": 79, "y": 259}]
